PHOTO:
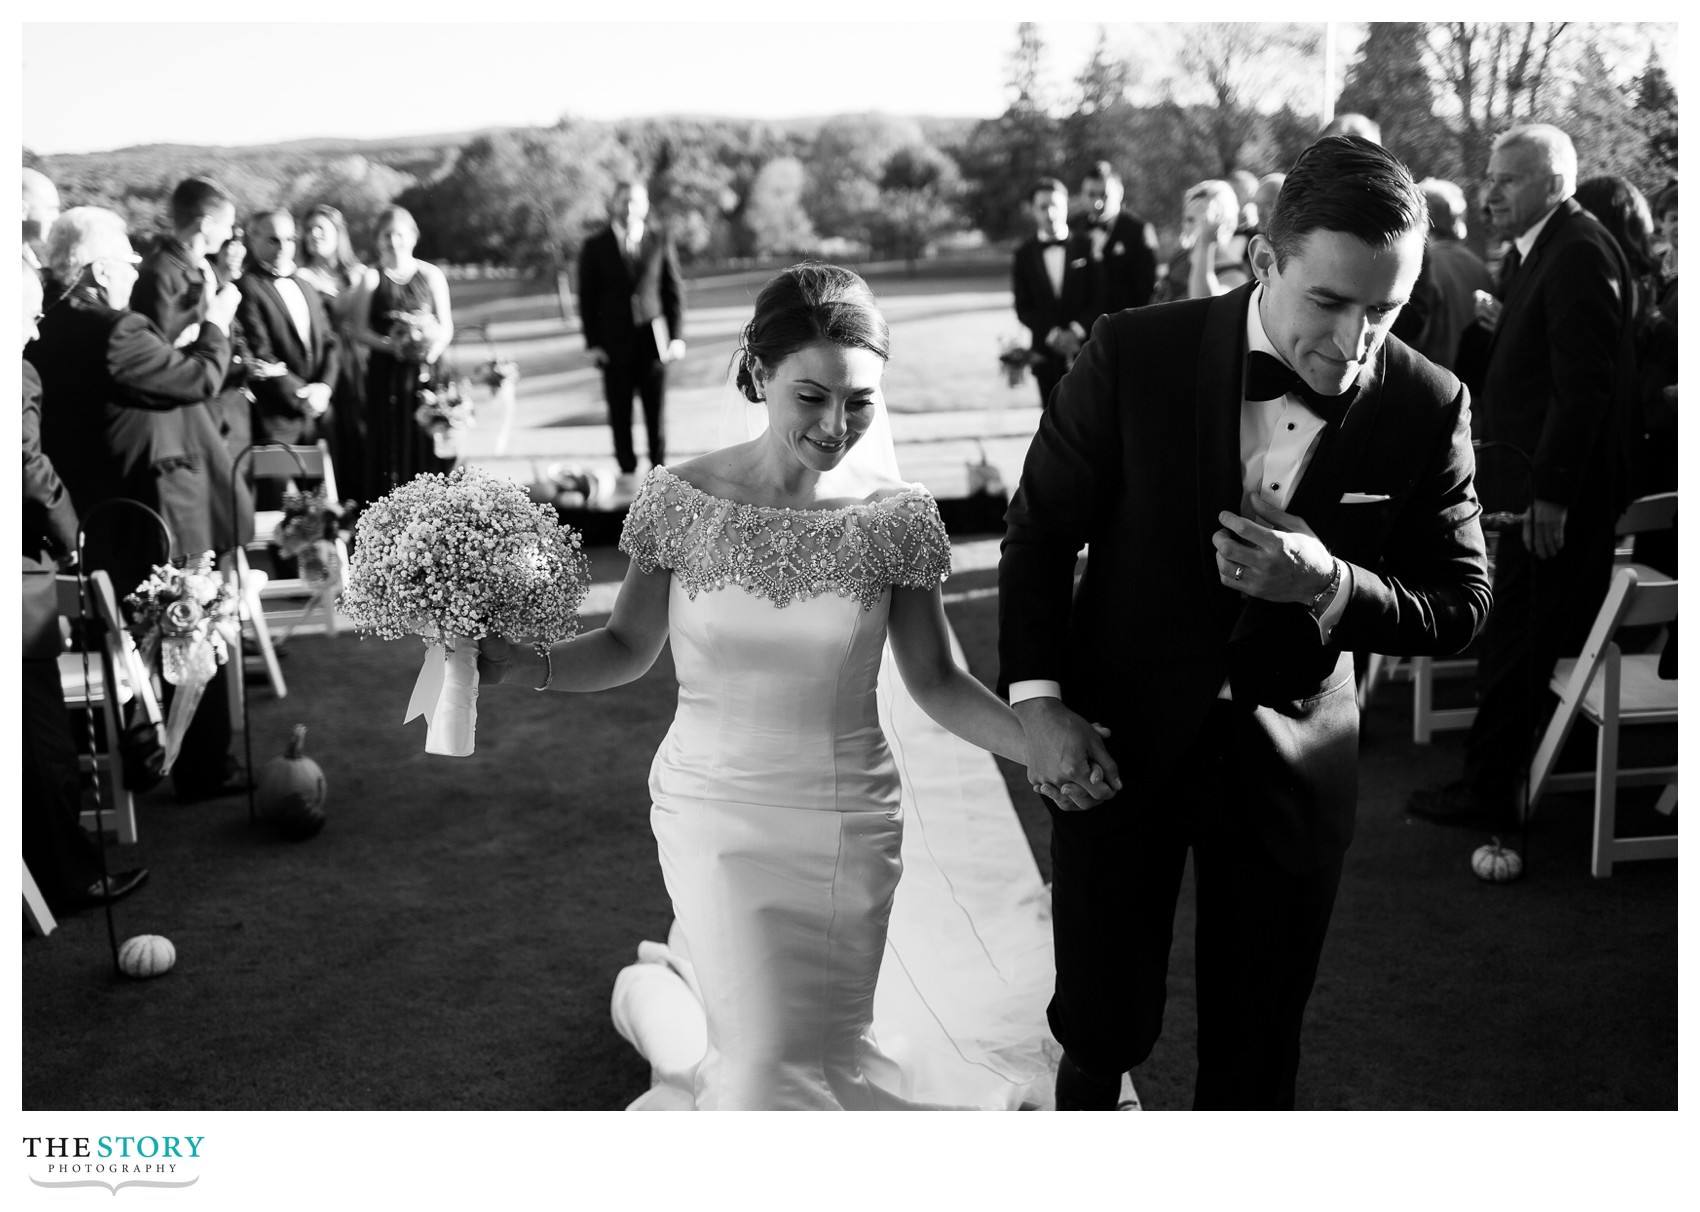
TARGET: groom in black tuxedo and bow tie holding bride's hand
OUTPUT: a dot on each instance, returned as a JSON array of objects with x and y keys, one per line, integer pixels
[{"x": 1252, "y": 519}]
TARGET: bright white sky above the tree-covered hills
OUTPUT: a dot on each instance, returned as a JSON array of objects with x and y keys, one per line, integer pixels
[{"x": 436, "y": 72}]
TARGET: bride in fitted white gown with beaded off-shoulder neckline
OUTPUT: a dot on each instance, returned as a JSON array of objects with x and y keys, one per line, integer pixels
[{"x": 776, "y": 800}]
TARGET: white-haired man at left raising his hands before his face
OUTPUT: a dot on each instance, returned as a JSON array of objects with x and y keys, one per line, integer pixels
[{"x": 125, "y": 417}]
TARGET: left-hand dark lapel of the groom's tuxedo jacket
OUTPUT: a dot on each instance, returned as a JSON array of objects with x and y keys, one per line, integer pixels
[{"x": 1218, "y": 402}]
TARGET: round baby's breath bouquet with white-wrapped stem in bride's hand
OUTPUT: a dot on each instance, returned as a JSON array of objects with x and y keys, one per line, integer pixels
[{"x": 455, "y": 558}]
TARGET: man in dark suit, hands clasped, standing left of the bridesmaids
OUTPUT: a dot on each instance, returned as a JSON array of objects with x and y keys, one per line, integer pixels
[{"x": 288, "y": 327}]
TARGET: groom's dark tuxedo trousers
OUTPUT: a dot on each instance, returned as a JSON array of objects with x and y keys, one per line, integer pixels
[{"x": 1261, "y": 926}]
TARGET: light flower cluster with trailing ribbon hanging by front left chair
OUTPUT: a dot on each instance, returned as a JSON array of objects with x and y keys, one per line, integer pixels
[{"x": 188, "y": 618}]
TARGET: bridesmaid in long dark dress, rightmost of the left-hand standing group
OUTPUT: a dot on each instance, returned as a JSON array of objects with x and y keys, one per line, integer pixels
[{"x": 402, "y": 317}]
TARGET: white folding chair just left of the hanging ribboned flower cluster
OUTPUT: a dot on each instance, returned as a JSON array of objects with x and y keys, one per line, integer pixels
[{"x": 115, "y": 677}]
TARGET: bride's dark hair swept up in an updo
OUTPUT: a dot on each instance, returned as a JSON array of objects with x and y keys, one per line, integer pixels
[{"x": 805, "y": 305}]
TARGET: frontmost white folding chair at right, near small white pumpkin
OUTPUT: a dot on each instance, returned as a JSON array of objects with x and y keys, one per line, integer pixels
[{"x": 1612, "y": 691}]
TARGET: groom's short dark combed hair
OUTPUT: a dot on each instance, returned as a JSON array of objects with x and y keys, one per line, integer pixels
[{"x": 1346, "y": 184}]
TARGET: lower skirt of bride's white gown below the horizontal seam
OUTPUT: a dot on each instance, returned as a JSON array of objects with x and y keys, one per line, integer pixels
[{"x": 785, "y": 915}]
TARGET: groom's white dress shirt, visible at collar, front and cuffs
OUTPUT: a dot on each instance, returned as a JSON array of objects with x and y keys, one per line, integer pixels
[{"x": 1278, "y": 441}]
